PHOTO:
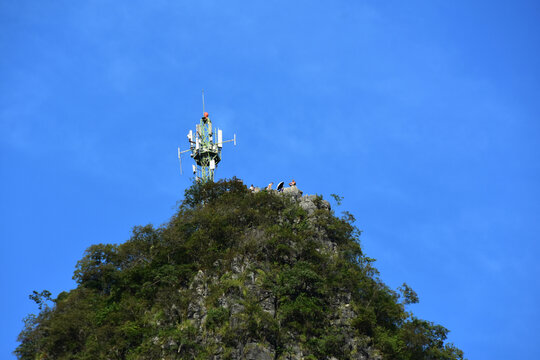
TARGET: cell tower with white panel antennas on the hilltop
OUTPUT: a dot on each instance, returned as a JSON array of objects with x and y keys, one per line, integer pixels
[{"x": 205, "y": 150}]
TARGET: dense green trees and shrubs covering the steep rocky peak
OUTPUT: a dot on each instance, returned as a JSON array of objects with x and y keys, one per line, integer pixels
[{"x": 138, "y": 300}]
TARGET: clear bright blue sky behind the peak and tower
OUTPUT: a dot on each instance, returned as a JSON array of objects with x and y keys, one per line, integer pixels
[{"x": 422, "y": 114}]
